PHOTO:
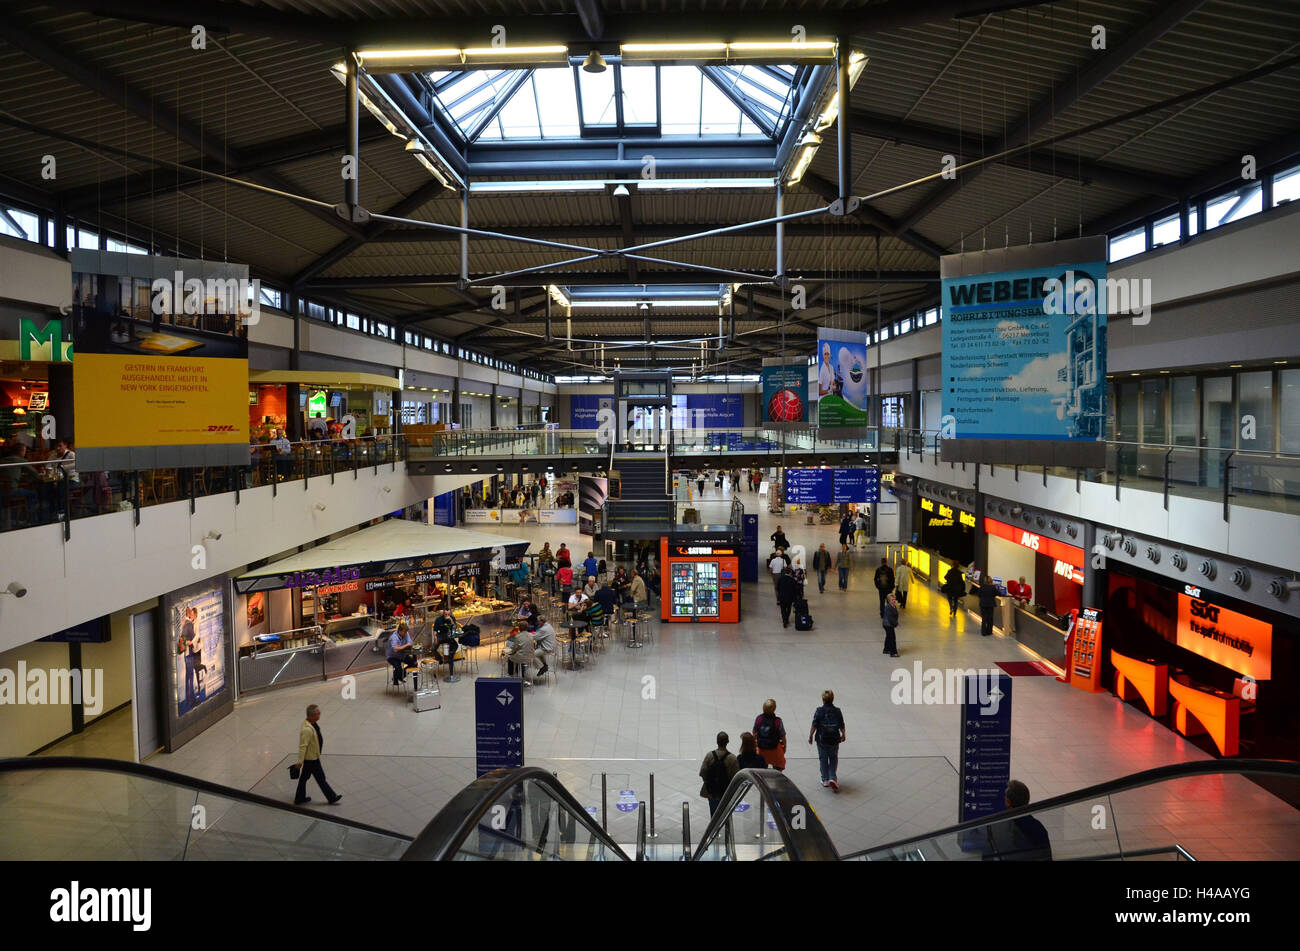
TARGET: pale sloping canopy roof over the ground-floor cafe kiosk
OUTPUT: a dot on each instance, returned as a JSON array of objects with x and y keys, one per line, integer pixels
[{"x": 392, "y": 548}]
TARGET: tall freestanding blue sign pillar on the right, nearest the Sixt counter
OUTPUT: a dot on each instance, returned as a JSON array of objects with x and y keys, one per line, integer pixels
[{"x": 986, "y": 745}]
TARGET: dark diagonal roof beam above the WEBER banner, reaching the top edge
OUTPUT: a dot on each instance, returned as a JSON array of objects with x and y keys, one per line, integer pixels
[{"x": 1067, "y": 94}]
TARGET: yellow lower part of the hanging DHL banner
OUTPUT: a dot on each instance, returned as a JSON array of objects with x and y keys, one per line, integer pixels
[{"x": 148, "y": 401}]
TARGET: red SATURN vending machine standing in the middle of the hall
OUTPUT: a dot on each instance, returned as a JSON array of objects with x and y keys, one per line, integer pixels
[{"x": 700, "y": 581}]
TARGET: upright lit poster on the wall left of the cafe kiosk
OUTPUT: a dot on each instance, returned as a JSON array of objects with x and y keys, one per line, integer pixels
[{"x": 197, "y": 628}]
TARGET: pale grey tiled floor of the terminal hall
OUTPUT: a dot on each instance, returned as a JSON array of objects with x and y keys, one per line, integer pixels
[{"x": 657, "y": 710}]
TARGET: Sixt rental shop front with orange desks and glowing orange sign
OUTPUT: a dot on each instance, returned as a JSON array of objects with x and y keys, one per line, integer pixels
[{"x": 1216, "y": 668}]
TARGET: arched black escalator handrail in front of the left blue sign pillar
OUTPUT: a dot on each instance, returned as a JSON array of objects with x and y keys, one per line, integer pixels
[{"x": 441, "y": 840}]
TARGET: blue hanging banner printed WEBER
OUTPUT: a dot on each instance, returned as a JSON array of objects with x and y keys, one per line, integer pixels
[{"x": 1025, "y": 348}]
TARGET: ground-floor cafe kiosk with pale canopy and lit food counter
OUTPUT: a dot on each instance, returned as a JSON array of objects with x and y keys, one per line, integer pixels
[{"x": 320, "y": 614}]
